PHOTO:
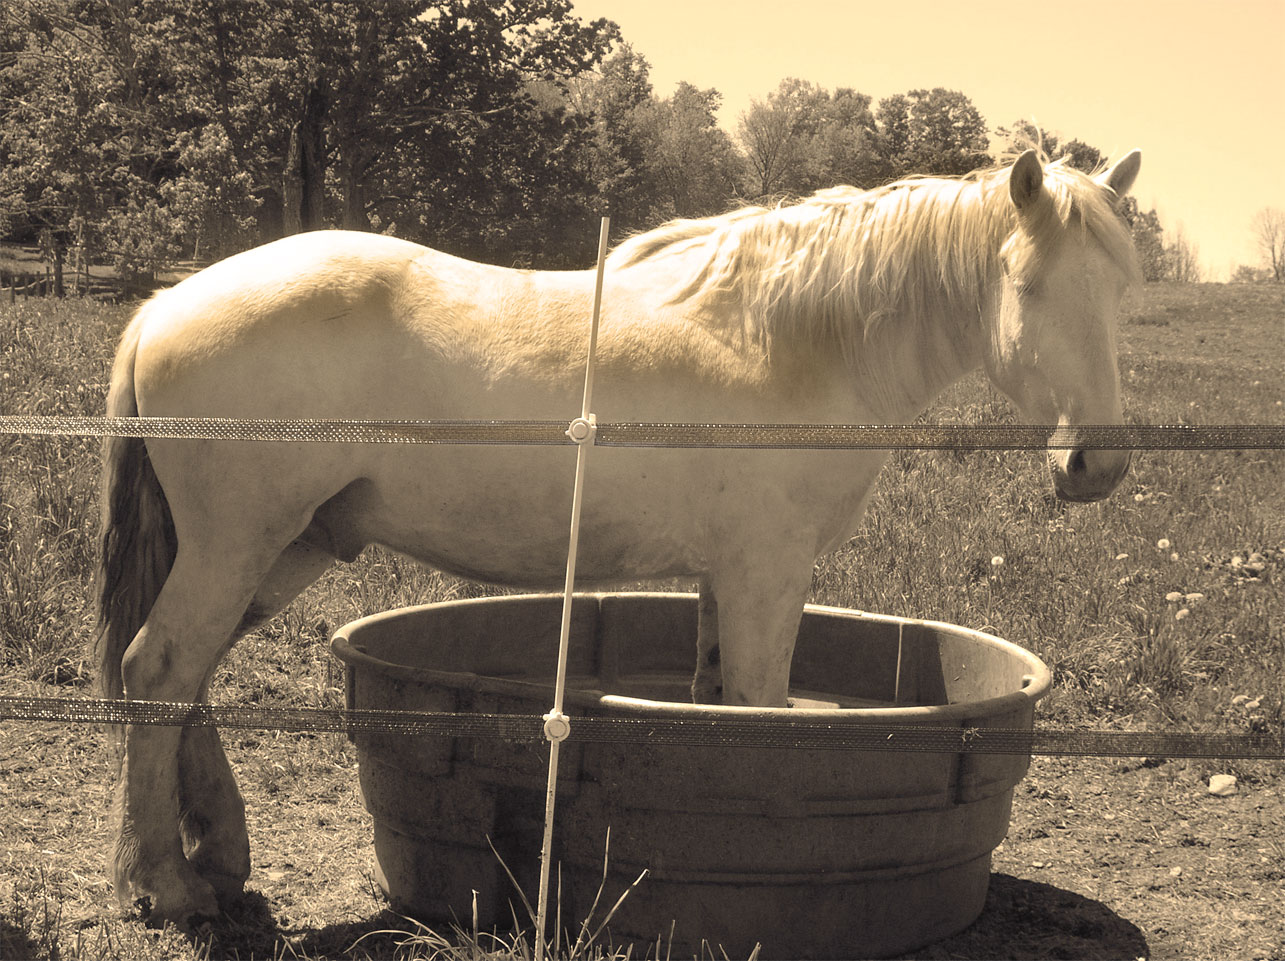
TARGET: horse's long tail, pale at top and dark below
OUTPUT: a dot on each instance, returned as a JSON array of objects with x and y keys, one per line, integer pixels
[{"x": 138, "y": 534}]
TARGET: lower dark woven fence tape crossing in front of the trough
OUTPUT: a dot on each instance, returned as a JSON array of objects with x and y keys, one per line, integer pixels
[{"x": 724, "y": 730}]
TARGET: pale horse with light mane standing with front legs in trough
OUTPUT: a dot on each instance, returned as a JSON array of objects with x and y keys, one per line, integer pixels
[{"x": 849, "y": 308}]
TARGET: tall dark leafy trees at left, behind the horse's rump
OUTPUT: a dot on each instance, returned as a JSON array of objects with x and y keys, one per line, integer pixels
[{"x": 222, "y": 123}]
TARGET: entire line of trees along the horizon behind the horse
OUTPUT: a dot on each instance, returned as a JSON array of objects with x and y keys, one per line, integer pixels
[{"x": 147, "y": 133}]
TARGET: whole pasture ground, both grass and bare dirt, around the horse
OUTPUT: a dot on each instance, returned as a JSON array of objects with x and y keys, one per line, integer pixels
[{"x": 1158, "y": 610}]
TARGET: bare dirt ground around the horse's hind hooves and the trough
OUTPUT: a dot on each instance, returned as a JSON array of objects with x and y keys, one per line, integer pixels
[{"x": 1106, "y": 859}]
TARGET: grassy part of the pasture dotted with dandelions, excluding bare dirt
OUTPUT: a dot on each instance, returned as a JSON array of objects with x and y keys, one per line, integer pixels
[{"x": 1085, "y": 586}]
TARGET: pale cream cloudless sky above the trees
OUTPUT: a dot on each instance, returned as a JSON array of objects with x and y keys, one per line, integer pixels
[{"x": 1197, "y": 85}]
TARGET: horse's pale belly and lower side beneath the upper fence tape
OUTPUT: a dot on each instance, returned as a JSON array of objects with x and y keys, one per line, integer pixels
[{"x": 503, "y": 515}]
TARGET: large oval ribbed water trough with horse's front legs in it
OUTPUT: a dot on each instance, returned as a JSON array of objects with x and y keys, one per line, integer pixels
[{"x": 809, "y": 852}]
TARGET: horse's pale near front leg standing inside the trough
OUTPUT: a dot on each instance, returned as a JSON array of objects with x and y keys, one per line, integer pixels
[{"x": 758, "y": 604}]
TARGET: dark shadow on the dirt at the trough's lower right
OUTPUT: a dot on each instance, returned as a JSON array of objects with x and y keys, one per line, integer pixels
[{"x": 1032, "y": 921}]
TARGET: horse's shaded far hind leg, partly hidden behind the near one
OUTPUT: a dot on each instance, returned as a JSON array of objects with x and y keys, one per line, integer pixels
[{"x": 213, "y": 814}]
